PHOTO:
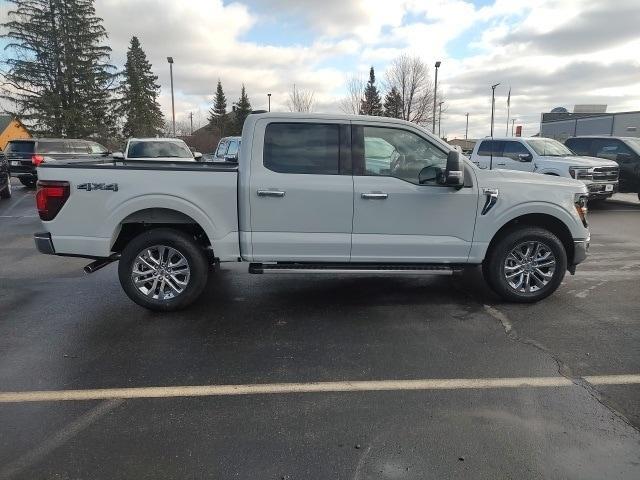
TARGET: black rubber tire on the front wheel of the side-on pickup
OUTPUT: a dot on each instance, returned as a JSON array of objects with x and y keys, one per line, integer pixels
[{"x": 495, "y": 265}]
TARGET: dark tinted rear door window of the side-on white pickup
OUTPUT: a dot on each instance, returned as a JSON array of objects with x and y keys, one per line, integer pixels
[{"x": 307, "y": 148}]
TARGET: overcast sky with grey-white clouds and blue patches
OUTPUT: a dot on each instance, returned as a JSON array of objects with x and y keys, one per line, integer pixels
[{"x": 551, "y": 52}]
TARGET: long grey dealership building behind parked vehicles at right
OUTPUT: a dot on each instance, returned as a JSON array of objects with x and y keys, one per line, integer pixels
[{"x": 589, "y": 120}]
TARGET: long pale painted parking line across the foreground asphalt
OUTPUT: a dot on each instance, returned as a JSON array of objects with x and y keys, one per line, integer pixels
[{"x": 313, "y": 387}]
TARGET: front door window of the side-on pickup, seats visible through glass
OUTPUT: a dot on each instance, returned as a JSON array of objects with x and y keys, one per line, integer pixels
[{"x": 401, "y": 154}]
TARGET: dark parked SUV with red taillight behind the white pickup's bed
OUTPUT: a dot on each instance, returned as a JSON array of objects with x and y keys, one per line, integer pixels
[{"x": 25, "y": 155}]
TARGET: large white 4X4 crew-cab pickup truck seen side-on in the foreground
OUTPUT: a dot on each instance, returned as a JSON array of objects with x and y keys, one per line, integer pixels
[{"x": 315, "y": 194}]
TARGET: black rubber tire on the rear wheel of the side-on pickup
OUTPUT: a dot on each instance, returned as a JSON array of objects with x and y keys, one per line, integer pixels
[{"x": 185, "y": 246}]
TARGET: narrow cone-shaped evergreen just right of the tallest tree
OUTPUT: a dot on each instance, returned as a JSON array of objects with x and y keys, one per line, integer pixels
[{"x": 139, "y": 95}]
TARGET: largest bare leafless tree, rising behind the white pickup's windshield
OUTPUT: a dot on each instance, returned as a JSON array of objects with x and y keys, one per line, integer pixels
[{"x": 411, "y": 78}]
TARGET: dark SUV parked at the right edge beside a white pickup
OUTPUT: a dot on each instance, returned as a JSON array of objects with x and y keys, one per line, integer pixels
[{"x": 625, "y": 151}]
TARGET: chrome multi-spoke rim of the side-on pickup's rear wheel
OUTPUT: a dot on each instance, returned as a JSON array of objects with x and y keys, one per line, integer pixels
[{"x": 160, "y": 272}]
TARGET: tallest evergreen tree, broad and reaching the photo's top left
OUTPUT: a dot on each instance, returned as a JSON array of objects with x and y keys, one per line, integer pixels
[{"x": 58, "y": 75}]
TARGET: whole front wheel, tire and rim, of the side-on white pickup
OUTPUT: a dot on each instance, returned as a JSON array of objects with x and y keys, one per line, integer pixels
[{"x": 526, "y": 265}]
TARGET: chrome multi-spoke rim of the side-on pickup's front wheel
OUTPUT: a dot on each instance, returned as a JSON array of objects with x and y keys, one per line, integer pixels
[{"x": 529, "y": 266}]
